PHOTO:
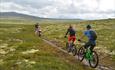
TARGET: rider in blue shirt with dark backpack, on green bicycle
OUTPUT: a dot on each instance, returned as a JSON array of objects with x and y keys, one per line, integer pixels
[{"x": 91, "y": 34}]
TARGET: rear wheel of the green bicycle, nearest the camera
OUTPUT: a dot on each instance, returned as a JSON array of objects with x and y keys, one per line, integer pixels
[{"x": 94, "y": 62}]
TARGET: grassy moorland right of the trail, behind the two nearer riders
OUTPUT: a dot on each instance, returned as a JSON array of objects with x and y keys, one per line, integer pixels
[{"x": 105, "y": 42}]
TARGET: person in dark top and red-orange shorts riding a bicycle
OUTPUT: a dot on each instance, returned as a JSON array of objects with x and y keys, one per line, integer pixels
[{"x": 72, "y": 34}]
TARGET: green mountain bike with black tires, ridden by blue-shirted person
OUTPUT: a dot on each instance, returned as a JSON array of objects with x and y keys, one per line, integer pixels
[{"x": 91, "y": 57}]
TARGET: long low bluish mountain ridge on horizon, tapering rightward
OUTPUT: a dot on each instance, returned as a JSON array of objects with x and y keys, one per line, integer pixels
[{"x": 14, "y": 15}]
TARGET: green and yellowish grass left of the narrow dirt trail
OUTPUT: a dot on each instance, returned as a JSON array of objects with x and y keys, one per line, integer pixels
[{"x": 20, "y": 49}]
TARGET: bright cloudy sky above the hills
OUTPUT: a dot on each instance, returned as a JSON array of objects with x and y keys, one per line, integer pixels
[{"x": 72, "y": 9}]
